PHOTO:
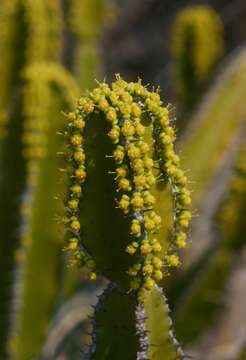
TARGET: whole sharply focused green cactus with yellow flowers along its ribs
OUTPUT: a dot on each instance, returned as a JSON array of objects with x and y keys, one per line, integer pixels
[{"x": 121, "y": 235}]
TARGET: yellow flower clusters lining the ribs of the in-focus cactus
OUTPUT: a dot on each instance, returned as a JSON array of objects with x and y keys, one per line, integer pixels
[{"x": 123, "y": 106}]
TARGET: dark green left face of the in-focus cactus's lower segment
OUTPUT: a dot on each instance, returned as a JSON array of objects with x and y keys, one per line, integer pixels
[{"x": 114, "y": 315}]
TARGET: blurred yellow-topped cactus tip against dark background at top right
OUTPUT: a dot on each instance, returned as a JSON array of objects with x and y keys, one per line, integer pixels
[{"x": 197, "y": 45}]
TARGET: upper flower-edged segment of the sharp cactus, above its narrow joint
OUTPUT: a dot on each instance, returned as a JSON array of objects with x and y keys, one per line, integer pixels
[{"x": 100, "y": 238}]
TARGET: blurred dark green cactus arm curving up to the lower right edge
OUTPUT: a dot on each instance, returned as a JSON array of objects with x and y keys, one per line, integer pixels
[{"x": 208, "y": 288}]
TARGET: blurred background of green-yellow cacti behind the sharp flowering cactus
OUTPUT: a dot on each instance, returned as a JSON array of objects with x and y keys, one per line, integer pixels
[{"x": 51, "y": 52}]
